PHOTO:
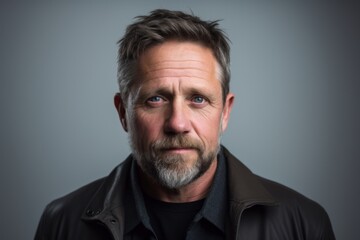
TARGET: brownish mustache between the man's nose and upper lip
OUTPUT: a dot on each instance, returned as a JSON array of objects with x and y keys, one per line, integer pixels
[{"x": 178, "y": 141}]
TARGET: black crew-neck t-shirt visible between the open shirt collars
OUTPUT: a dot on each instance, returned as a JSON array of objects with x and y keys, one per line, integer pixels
[{"x": 171, "y": 220}]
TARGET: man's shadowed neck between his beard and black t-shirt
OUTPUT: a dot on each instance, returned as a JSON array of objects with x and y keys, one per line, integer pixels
[{"x": 196, "y": 190}]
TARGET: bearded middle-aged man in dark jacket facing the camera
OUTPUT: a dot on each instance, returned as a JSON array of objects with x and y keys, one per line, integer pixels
[{"x": 179, "y": 182}]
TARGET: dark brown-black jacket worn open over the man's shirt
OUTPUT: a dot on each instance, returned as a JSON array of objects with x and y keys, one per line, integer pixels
[{"x": 259, "y": 209}]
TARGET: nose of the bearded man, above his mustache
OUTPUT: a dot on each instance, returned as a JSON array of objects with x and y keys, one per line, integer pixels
[{"x": 177, "y": 120}]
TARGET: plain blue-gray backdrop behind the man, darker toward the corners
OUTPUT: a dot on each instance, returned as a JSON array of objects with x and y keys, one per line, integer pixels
[{"x": 295, "y": 72}]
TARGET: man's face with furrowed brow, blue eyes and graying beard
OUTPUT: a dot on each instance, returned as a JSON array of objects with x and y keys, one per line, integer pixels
[{"x": 176, "y": 114}]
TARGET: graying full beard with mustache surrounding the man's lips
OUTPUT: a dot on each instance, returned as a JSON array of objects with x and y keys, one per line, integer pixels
[{"x": 173, "y": 170}]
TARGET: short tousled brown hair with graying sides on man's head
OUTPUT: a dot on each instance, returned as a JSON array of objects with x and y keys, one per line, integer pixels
[{"x": 163, "y": 25}]
